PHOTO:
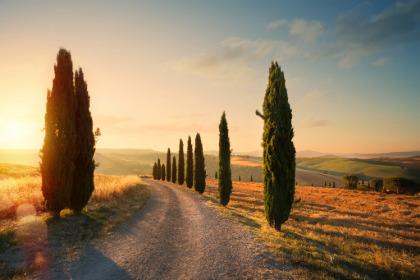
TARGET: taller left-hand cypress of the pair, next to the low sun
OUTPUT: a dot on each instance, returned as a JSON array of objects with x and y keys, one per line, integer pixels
[{"x": 59, "y": 150}]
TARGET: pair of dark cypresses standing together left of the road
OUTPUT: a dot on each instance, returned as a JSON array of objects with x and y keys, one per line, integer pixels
[{"x": 67, "y": 164}]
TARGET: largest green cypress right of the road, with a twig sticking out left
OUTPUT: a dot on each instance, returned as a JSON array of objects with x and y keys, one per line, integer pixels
[{"x": 279, "y": 151}]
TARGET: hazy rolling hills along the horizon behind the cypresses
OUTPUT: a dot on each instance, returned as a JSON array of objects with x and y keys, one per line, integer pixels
[{"x": 311, "y": 170}]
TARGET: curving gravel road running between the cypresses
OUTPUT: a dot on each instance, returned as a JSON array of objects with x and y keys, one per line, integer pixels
[{"x": 176, "y": 236}]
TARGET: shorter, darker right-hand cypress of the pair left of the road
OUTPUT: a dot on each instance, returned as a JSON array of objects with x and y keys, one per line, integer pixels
[{"x": 83, "y": 183}]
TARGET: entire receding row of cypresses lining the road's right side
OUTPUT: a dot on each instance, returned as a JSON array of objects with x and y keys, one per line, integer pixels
[{"x": 279, "y": 154}]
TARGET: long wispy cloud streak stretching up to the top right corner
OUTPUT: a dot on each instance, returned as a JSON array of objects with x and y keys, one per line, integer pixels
[{"x": 354, "y": 36}]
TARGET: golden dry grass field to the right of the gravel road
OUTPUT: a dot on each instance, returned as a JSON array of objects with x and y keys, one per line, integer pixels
[{"x": 337, "y": 233}]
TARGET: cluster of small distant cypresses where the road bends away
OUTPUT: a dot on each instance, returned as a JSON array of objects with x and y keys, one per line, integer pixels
[{"x": 195, "y": 174}]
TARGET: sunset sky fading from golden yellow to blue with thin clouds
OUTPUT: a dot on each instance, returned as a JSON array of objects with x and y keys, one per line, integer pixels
[{"x": 158, "y": 71}]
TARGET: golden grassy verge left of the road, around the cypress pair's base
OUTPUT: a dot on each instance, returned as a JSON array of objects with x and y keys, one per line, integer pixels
[{"x": 31, "y": 240}]
